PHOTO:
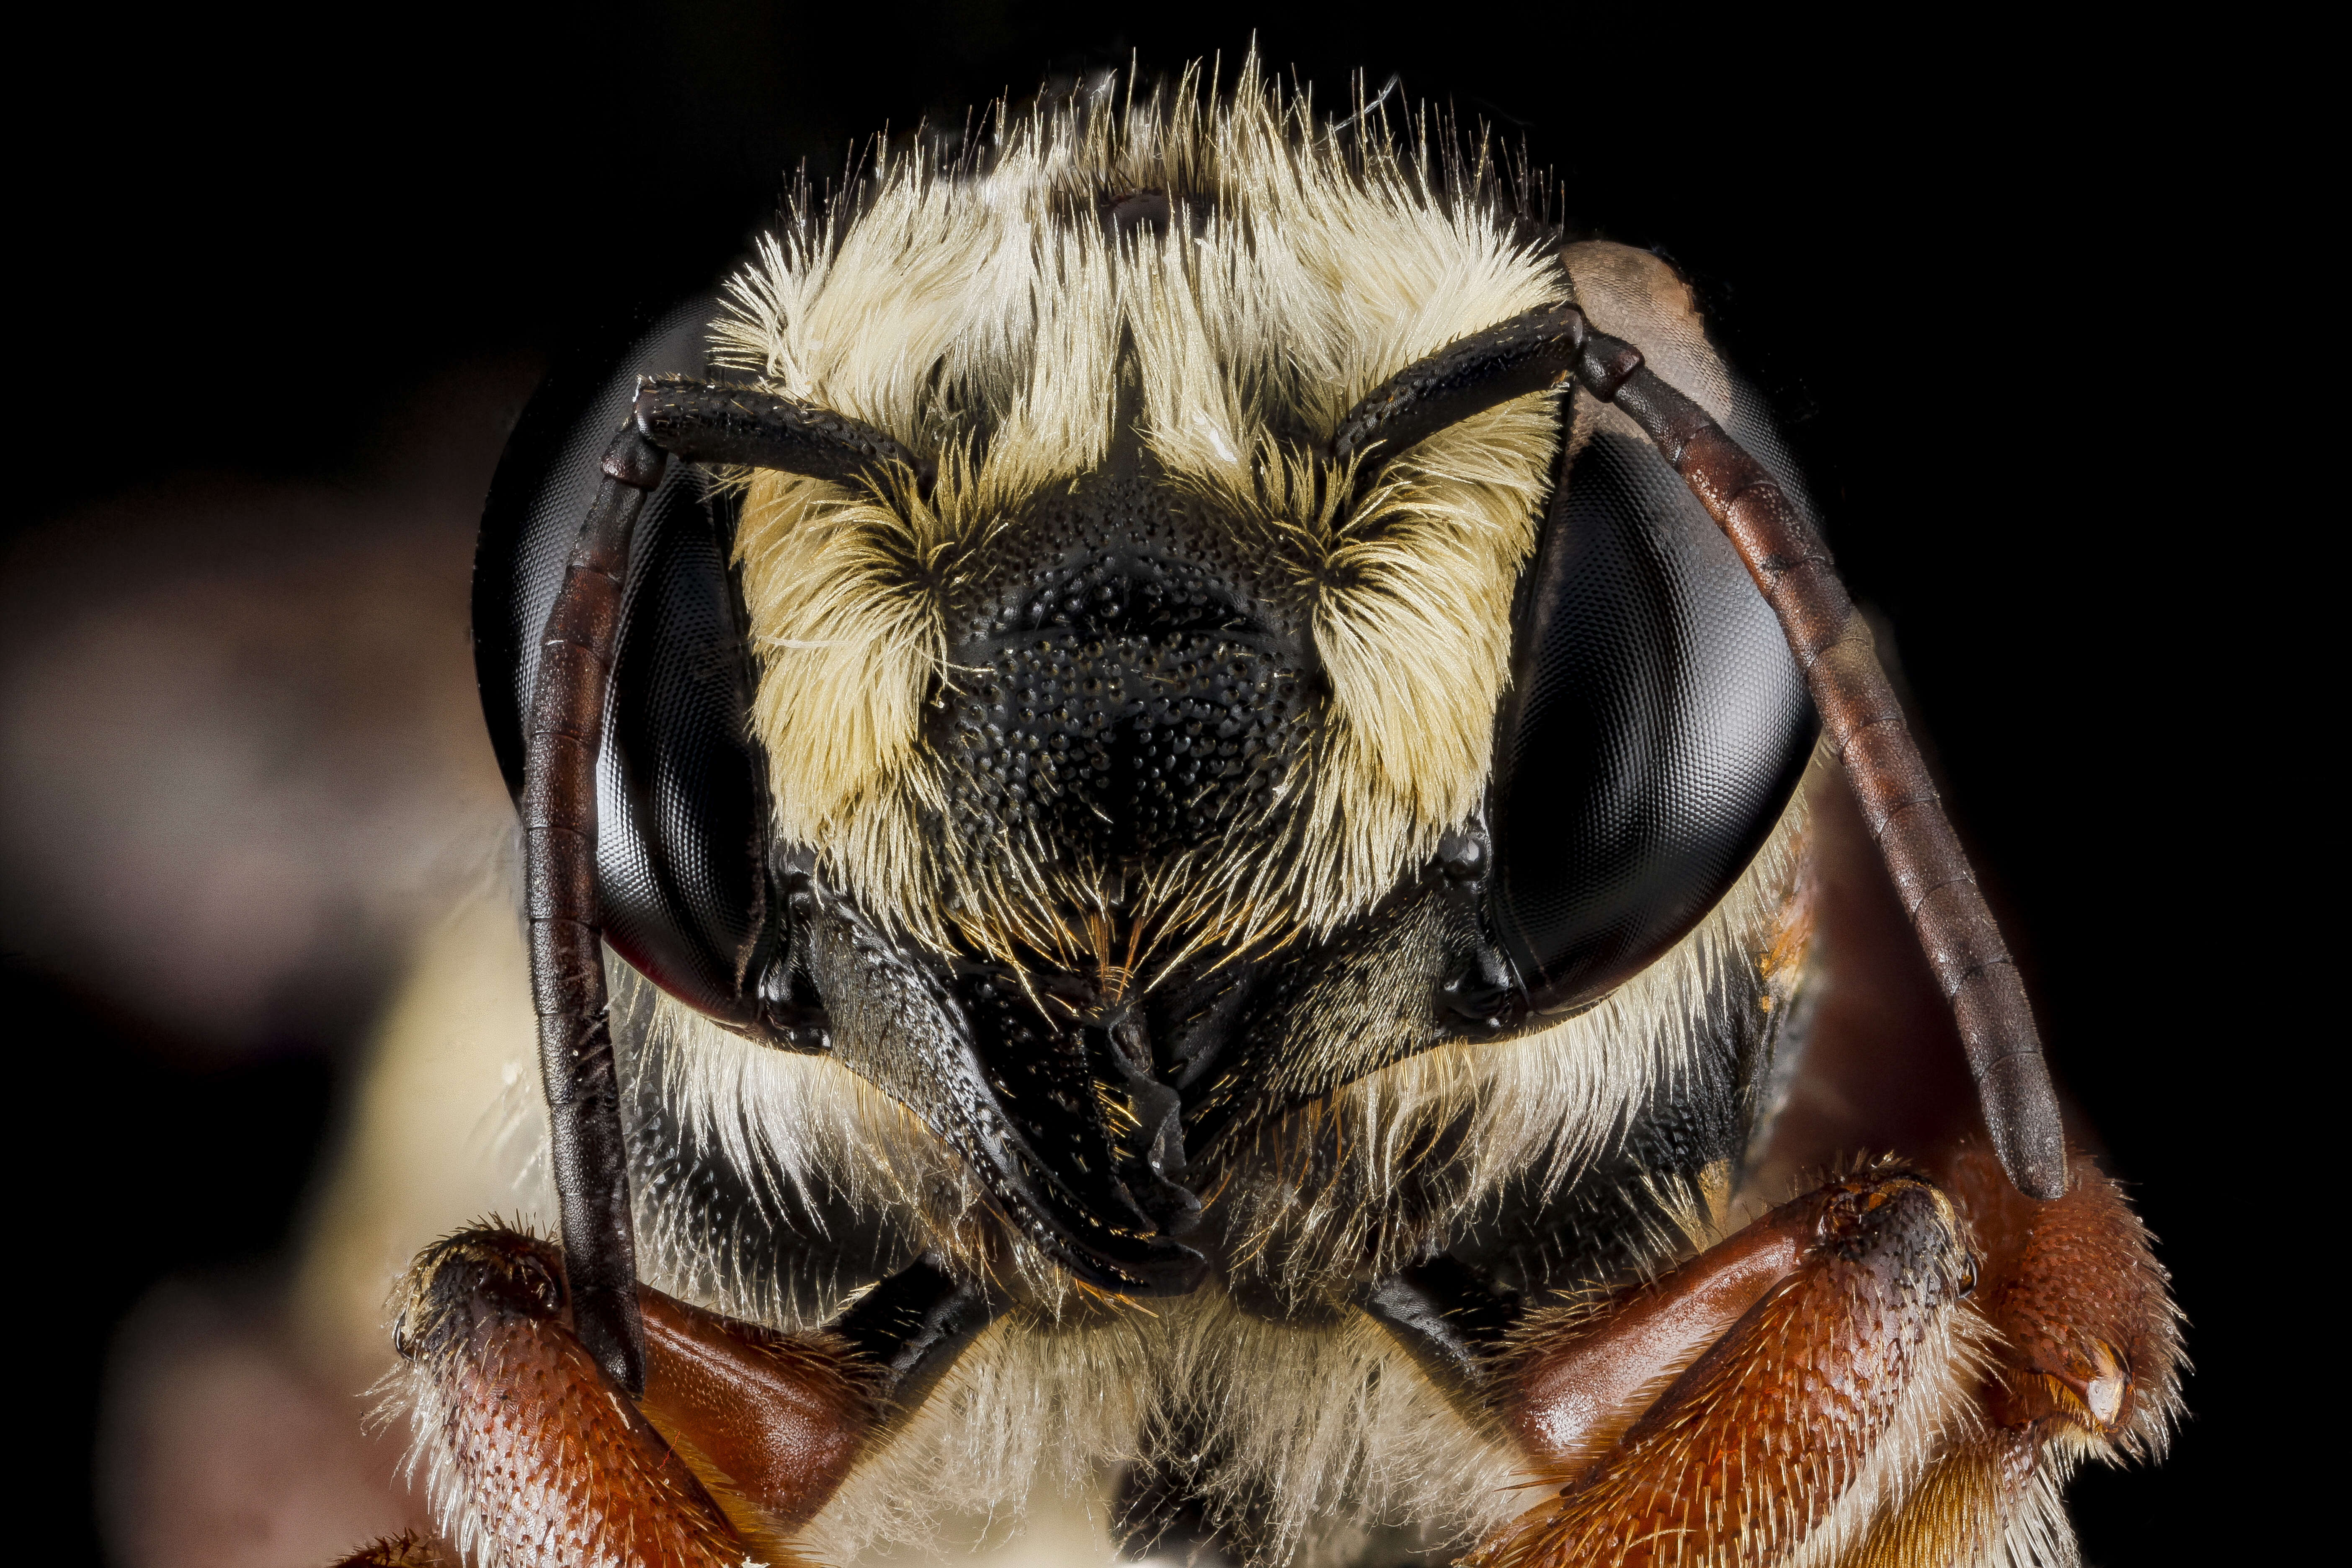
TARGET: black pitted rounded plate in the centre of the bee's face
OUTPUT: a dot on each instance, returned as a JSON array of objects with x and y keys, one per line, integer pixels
[{"x": 1121, "y": 718}]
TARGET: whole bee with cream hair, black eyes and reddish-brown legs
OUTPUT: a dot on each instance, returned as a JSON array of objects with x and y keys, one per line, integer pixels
[{"x": 1180, "y": 777}]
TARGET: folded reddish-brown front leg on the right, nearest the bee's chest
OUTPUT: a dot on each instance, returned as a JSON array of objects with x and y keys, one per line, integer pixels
[{"x": 1793, "y": 1376}]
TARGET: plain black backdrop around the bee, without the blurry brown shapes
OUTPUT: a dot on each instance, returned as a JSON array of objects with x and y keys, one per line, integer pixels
[{"x": 1958, "y": 250}]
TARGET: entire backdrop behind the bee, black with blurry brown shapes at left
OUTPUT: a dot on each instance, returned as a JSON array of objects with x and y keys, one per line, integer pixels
[{"x": 293, "y": 283}]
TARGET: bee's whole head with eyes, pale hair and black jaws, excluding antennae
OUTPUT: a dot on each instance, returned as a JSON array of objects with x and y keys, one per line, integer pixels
[{"x": 1158, "y": 758}]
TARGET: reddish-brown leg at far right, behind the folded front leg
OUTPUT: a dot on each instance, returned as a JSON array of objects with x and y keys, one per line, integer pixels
[{"x": 2087, "y": 1351}]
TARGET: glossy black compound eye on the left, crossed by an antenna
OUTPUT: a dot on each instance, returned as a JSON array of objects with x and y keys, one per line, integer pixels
[{"x": 681, "y": 786}]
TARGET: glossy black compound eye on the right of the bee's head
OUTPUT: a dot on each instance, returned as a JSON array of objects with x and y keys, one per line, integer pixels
[{"x": 1655, "y": 732}]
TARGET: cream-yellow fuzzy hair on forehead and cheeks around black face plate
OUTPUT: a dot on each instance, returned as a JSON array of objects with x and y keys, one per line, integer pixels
[{"x": 1297, "y": 274}]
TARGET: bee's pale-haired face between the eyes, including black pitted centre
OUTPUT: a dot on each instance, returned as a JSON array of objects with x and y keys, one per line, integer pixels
[{"x": 1130, "y": 431}]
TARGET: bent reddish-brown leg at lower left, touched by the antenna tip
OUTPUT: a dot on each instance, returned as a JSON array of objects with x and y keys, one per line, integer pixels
[{"x": 742, "y": 1433}]
